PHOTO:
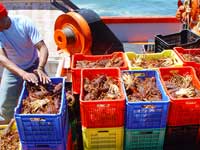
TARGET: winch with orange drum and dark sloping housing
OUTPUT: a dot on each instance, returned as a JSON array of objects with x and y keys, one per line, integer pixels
[{"x": 83, "y": 31}]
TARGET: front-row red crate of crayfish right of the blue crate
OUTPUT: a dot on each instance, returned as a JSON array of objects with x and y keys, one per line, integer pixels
[{"x": 183, "y": 88}]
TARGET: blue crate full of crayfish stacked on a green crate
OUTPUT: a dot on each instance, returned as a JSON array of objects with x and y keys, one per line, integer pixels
[{"x": 146, "y": 100}]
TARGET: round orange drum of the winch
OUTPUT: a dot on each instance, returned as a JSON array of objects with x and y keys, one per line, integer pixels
[{"x": 72, "y": 33}]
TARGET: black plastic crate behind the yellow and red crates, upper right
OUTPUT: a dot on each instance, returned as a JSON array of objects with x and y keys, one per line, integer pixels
[{"x": 185, "y": 39}]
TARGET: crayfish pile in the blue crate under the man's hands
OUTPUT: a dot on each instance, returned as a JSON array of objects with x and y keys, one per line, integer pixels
[{"x": 42, "y": 99}]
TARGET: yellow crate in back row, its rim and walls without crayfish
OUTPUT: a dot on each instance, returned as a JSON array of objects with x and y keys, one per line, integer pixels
[{"x": 153, "y": 56}]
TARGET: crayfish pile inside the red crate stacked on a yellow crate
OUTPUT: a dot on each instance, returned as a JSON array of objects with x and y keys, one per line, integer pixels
[{"x": 101, "y": 88}]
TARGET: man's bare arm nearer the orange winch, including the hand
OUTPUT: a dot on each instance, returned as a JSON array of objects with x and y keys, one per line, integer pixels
[{"x": 43, "y": 56}]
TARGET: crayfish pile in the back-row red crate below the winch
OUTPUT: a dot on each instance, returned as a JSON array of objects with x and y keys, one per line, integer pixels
[{"x": 101, "y": 63}]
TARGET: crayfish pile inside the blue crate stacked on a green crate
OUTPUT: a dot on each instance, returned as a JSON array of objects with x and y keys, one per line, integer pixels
[{"x": 139, "y": 89}]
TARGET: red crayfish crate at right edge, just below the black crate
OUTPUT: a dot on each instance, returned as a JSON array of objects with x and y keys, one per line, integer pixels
[{"x": 190, "y": 57}]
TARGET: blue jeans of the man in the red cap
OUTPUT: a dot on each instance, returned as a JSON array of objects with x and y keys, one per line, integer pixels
[{"x": 10, "y": 89}]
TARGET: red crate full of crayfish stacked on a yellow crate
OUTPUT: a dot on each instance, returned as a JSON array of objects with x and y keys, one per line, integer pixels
[{"x": 102, "y": 101}]
